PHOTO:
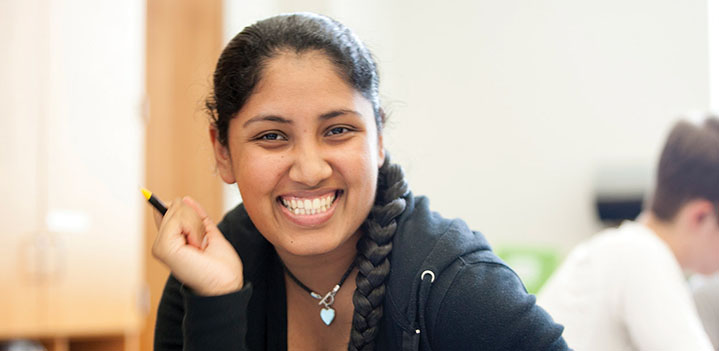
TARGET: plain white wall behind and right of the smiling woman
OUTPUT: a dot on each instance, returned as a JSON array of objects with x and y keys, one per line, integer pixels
[{"x": 503, "y": 112}]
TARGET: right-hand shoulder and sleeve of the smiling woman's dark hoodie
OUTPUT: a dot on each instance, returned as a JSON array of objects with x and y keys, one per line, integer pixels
[{"x": 443, "y": 272}]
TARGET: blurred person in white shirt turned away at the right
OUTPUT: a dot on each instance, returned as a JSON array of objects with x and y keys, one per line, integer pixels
[{"x": 625, "y": 289}]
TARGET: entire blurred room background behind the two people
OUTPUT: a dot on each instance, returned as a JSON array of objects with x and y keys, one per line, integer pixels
[{"x": 537, "y": 122}]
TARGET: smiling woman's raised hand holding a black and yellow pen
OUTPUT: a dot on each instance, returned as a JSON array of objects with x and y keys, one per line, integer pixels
[{"x": 196, "y": 252}]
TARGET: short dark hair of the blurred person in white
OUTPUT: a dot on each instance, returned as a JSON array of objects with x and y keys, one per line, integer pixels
[{"x": 688, "y": 168}]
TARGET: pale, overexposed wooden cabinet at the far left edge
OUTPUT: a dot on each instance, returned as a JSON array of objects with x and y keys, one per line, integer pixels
[{"x": 71, "y": 163}]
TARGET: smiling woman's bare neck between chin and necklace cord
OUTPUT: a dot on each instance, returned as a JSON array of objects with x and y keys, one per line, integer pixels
[{"x": 321, "y": 272}]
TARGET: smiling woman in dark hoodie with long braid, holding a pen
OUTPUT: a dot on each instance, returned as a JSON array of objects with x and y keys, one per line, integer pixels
[{"x": 329, "y": 250}]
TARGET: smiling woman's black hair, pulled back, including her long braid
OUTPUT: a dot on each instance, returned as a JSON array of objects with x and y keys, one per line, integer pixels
[{"x": 240, "y": 68}]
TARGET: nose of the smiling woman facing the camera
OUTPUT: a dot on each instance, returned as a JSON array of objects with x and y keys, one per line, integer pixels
[{"x": 309, "y": 167}]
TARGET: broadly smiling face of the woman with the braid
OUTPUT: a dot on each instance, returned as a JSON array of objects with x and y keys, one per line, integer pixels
[{"x": 305, "y": 152}]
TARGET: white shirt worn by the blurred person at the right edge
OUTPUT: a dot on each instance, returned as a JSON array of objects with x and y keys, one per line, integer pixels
[{"x": 624, "y": 290}]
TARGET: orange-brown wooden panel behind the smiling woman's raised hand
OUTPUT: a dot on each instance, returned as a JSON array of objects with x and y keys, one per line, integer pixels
[{"x": 181, "y": 56}]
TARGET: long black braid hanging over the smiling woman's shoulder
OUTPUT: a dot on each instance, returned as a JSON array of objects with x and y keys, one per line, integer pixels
[{"x": 373, "y": 251}]
